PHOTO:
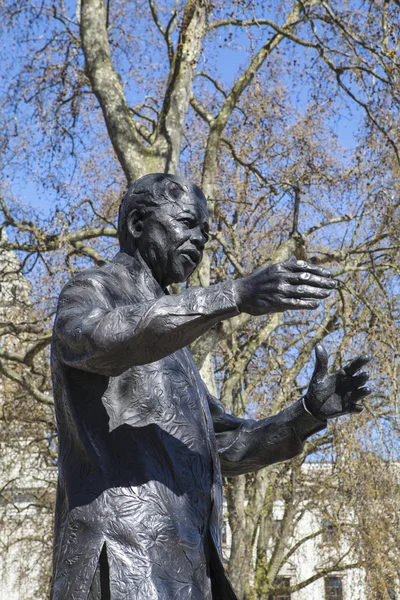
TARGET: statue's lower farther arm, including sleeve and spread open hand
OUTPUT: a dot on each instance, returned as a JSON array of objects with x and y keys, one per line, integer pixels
[{"x": 248, "y": 445}]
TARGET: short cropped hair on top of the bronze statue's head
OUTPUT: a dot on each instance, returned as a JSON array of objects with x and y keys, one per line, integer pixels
[{"x": 152, "y": 192}]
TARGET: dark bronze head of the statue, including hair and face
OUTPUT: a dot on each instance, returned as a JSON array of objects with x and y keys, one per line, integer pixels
[{"x": 164, "y": 218}]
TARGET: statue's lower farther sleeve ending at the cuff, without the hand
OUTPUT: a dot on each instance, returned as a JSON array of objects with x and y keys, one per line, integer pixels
[{"x": 246, "y": 445}]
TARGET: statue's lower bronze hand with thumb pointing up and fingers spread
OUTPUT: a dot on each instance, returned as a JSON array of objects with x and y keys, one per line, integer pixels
[{"x": 332, "y": 395}]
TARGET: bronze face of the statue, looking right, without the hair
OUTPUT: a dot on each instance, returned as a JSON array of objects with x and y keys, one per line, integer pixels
[{"x": 173, "y": 237}]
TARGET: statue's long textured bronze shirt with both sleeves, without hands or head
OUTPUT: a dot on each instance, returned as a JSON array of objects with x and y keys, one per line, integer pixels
[{"x": 141, "y": 441}]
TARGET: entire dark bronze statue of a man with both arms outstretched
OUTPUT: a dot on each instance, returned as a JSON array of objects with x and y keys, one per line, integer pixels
[{"x": 142, "y": 443}]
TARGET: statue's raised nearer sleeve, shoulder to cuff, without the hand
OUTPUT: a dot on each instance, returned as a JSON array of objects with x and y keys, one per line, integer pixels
[{"x": 92, "y": 335}]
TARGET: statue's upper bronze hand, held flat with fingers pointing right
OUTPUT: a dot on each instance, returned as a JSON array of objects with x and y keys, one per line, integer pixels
[{"x": 290, "y": 285}]
